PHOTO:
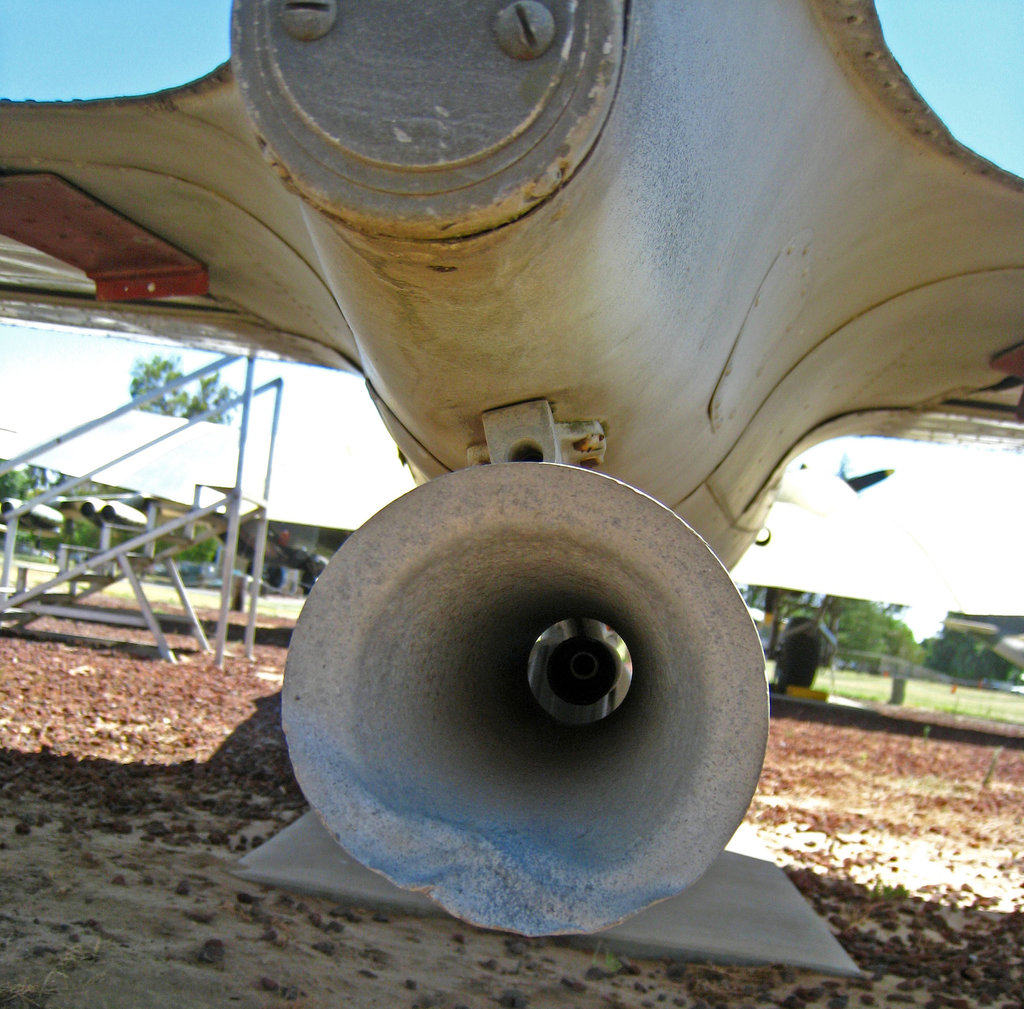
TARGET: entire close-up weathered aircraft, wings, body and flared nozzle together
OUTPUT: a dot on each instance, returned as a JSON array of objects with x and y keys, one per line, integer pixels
[{"x": 675, "y": 244}]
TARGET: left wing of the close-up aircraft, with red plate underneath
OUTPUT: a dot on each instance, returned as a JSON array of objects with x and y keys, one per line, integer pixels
[{"x": 184, "y": 167}]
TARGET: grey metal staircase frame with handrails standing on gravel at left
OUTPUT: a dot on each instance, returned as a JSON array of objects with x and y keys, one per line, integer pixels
[{"x": 139, "y": 554}]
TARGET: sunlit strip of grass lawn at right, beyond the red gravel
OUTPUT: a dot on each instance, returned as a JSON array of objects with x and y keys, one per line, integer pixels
[{"x": 958, "y": 700}]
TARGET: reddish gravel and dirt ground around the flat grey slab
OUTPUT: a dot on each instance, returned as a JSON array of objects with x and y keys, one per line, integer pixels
[{"x": 131, "y": 786}]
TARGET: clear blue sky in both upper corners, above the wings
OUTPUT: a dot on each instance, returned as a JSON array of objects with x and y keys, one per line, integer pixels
[{"x": 966, "y": 57}]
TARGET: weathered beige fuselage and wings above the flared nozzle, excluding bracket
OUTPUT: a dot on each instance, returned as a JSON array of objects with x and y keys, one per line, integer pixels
[{"x": 727, "y": 259}]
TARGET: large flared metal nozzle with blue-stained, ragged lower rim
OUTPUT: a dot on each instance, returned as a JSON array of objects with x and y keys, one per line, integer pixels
[{"x": 531, "y": 692}]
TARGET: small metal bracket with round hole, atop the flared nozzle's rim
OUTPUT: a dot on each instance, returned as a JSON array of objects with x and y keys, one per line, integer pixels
[{"x": 529, "y": 433}]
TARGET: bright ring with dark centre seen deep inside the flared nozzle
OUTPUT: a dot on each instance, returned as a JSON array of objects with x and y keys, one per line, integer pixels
[{"x": 580, "y": 671}]
